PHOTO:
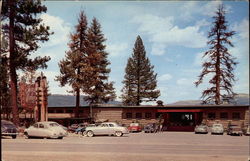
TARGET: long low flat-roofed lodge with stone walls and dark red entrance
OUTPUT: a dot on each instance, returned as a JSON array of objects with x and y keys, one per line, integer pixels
[{"x": 174, "y": 117}]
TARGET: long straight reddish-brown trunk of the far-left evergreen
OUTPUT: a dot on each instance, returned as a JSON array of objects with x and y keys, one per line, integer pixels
[{"x": 13, "y": 75}]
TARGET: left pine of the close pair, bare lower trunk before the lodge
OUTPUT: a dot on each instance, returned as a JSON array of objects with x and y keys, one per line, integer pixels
[{"x": 71, "y": 66}]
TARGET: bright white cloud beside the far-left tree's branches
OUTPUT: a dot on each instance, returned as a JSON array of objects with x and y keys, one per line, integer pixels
[{"x": 60, "y": 28}]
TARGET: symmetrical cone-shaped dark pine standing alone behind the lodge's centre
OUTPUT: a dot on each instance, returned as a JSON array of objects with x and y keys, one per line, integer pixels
[{"x": 139, "y": 80}]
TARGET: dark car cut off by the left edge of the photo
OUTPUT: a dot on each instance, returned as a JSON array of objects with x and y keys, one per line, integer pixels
[{"x": 8, "y": 129}]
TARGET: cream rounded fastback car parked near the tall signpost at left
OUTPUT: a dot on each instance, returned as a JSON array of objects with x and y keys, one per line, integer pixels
[{"x": 46, "y": 129}]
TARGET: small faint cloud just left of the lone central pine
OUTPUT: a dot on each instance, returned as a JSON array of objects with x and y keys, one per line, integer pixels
[{"x": 117, "y": 49}]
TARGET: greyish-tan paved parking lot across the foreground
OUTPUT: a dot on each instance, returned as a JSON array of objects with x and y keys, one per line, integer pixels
[{"x": 172, "y": 146}]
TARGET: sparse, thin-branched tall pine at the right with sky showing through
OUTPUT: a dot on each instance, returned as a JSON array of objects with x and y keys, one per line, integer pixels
[{"x": 220, "y": 63}]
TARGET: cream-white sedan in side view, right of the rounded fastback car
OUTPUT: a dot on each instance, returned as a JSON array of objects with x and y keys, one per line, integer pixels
[{"x": 106, "y": 128}]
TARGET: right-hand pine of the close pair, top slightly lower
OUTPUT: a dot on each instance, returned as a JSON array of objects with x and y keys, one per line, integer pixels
[{"x": 96, "y": 86}]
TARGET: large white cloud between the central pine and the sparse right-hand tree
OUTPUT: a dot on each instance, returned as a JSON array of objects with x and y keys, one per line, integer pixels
[{"x": 163, "y": 33}]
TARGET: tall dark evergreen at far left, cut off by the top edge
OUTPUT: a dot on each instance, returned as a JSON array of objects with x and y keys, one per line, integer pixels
[{"x": 24, "y": 31}]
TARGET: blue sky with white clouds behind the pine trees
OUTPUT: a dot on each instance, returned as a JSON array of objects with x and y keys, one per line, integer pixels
[{"x": 174, "y": 34}]
